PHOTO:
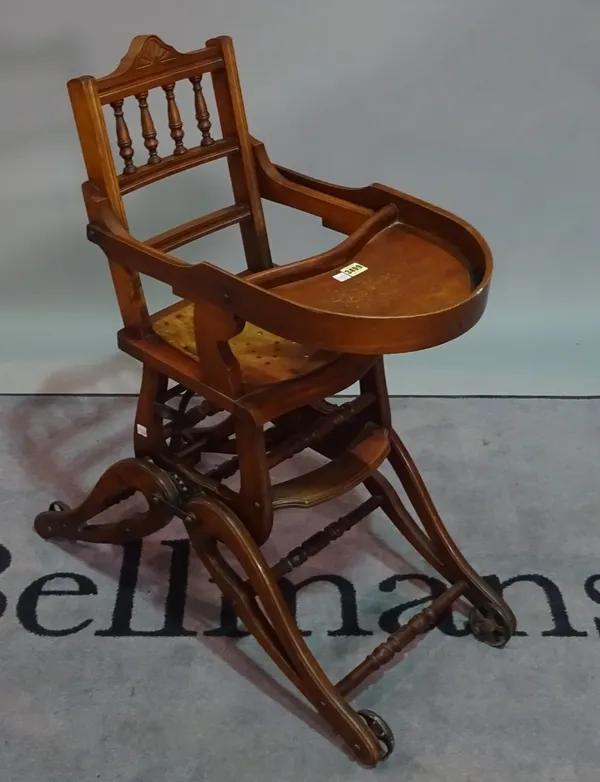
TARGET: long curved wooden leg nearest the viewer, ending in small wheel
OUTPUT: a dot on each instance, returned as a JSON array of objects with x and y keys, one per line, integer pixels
[{"x": 261, "y": 606}]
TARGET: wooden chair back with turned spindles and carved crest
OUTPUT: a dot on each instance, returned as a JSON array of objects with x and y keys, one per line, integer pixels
[{"x": 150, "y": 64}]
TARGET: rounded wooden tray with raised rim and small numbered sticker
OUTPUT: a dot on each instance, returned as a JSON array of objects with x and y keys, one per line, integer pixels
[{"x": 389, "y": 288}]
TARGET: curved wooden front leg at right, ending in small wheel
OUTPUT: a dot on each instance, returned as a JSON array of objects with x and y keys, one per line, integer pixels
[{"x": 492, "y": 620}]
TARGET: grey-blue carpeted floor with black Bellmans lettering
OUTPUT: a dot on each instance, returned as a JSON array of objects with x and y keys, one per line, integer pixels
[{"x": 120, "y": 664}]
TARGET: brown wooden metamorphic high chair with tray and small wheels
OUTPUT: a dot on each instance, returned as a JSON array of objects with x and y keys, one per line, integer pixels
[{"x": 260, "y": 353}]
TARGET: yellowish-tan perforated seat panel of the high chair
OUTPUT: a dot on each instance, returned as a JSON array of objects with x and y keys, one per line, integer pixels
[{"x": 264, "y": 358}]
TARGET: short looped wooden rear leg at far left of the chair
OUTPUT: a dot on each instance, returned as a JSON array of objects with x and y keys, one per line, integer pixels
[{"x": 119, "y": 482}]
